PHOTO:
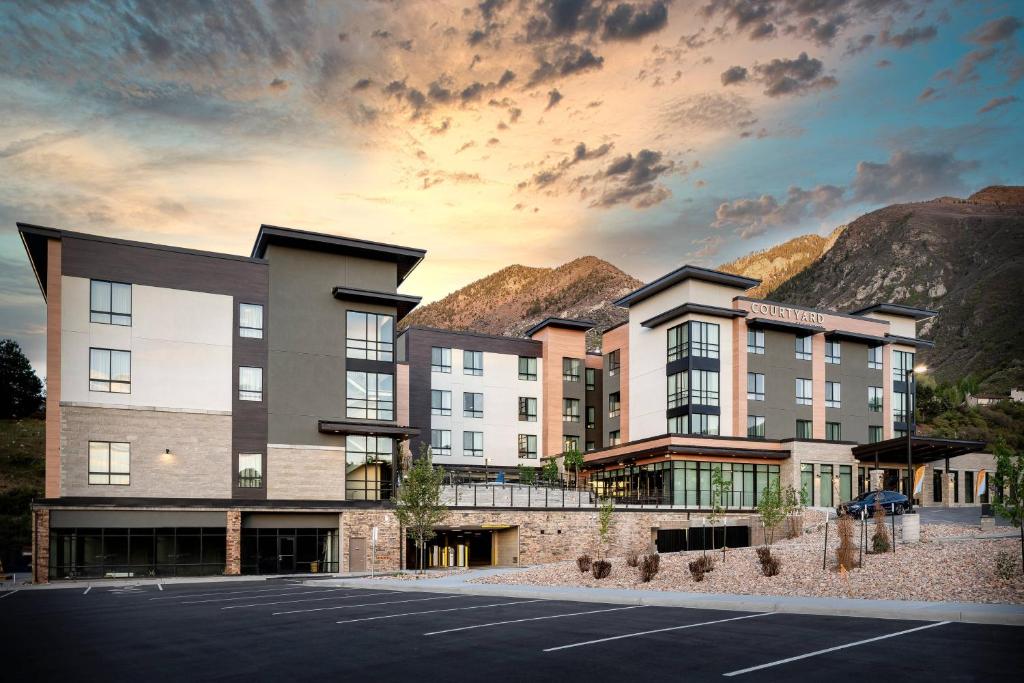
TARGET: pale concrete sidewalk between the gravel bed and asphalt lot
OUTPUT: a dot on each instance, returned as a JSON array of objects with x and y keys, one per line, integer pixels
[{"x": 926, "y": 612}]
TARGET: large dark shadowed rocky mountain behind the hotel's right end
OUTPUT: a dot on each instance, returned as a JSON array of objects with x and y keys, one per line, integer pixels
[{"x": 964, "y": 259}]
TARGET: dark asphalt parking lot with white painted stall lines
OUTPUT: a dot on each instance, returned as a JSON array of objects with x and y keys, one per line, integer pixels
[{"x": 288, "y": 630}]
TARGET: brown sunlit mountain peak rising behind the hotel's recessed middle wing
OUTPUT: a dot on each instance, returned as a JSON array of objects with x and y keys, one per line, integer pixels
[{"x": 514, "y": 300}]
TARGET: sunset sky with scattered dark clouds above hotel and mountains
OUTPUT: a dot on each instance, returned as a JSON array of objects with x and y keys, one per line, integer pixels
[{"x": 650, "y": 134}]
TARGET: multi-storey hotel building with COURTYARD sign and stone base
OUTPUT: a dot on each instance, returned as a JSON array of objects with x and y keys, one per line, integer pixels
[{"x": 217, "y": 414}]
